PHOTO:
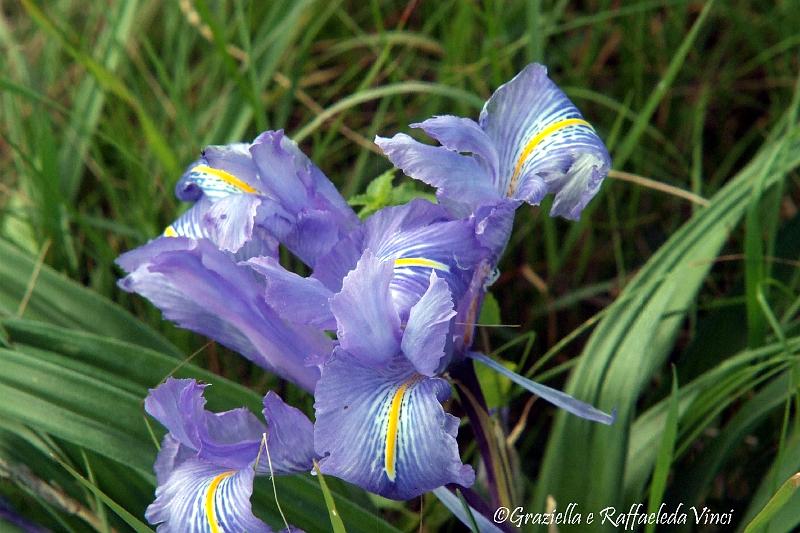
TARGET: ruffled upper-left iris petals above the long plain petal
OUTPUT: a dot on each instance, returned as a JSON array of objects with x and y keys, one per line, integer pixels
[{"x": 252, "y": 196}]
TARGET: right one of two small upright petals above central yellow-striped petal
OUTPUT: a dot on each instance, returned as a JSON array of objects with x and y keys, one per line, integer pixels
[{"x": 427, "y": 337}]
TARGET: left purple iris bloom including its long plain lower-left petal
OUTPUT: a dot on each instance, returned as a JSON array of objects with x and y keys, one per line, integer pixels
[{"x": 248, "y": 198}]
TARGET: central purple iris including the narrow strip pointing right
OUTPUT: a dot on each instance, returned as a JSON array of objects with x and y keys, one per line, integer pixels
[{"x": 401, "y": 295}]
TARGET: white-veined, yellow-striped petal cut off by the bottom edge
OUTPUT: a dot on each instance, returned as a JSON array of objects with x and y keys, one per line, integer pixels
[{"x": 201, "y": 497}]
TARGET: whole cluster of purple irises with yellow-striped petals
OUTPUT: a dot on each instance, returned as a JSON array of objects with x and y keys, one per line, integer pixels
[{"x": 390, "y": 305}]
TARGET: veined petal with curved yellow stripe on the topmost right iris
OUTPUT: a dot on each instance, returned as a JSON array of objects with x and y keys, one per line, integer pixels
[{"x": 544, "y": 144}]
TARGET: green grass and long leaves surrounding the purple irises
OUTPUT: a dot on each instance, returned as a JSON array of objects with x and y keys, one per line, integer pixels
[{"x": 681, "y": 313}]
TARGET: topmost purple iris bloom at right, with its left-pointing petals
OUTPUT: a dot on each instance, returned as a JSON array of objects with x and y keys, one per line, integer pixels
[{"x": 529, "y": 141}]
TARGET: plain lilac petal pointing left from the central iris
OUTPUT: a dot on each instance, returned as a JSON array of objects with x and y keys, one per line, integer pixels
[{"x": 297, "y": 299}]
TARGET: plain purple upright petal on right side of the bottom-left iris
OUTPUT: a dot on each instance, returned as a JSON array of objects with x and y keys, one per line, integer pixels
[{"x": 290, "y": 438}]
